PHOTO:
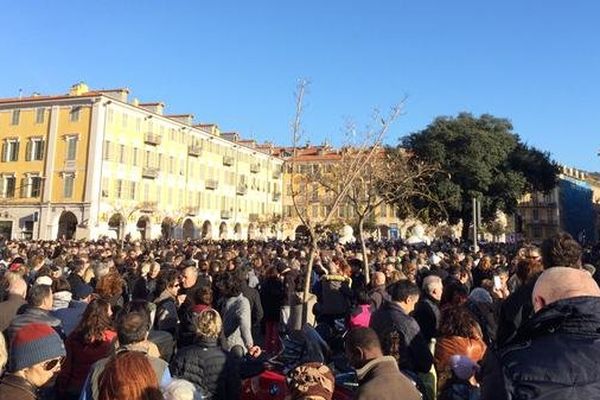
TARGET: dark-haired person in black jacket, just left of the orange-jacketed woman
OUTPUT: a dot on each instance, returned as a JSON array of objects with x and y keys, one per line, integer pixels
[{"x": 399, "y": 333}]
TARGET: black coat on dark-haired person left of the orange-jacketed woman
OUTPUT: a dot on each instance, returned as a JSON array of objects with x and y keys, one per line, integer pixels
[{"x": 401, "y": 337}]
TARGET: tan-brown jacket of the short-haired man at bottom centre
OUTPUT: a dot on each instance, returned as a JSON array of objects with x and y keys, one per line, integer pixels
[{"x": 380, "y": 379}]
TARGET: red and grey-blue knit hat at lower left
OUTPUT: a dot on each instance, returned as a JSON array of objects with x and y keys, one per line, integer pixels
[{"x": 33, "y": 344}]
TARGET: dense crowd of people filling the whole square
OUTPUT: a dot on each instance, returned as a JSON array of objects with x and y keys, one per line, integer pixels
[{"x": 184, "y": 320}]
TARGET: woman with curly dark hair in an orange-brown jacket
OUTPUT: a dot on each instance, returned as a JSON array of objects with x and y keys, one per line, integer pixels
[{"x": 459, "y": 334}]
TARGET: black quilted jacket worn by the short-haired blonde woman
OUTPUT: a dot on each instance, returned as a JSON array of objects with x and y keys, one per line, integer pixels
[{"x": 207, "y": 366}]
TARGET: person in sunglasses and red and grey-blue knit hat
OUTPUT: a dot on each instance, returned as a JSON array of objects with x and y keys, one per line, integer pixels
[{"x": 36, "y": 354}]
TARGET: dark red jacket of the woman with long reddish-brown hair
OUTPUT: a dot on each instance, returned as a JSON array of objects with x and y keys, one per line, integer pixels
[{"x": 80, "y": 358}]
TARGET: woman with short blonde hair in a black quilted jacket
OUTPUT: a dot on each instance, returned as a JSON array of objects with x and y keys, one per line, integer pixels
[{"x": 205, "y": 364}]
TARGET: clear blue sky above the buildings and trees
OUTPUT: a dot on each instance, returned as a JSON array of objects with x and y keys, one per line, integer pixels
[{"x": 236, "y": 62}]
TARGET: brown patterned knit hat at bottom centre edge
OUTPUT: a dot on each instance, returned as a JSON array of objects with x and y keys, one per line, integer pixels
[{"x": 314, "y": 380}]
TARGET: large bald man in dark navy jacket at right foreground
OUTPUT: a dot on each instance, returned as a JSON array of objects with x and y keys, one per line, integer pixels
[{"x": 555, "y": 353}]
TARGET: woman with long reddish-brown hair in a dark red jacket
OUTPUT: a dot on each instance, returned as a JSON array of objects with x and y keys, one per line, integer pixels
[{"x": 91, "y": 340}]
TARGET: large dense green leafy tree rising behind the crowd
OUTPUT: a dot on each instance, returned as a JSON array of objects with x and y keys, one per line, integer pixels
[{"x": 482, "y": 158}]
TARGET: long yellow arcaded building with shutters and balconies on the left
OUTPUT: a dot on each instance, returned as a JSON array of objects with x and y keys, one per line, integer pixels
[{"x": 107, "y": 166}]
